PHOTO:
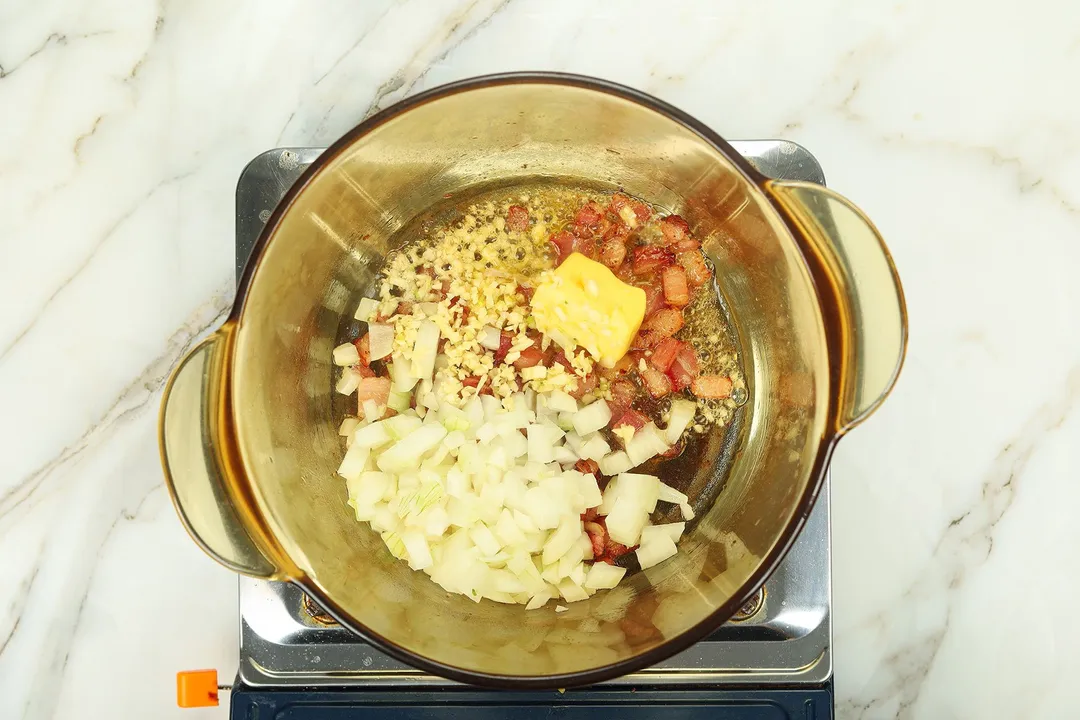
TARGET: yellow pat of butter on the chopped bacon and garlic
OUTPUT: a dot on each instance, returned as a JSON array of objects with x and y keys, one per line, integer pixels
[{"x": 584, "y": 304}]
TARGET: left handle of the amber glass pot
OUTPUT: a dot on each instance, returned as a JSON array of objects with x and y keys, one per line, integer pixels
[{"x": 197, "y": 469}]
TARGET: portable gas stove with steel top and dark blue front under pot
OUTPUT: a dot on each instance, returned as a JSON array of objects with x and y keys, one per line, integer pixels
[{"x": 773, "y": 661}]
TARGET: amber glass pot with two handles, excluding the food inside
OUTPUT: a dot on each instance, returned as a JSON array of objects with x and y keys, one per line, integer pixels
[{"x": 249, "y": 423}]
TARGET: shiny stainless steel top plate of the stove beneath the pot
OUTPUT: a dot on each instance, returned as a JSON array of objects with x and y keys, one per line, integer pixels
[{"x": 782, "y": 639}]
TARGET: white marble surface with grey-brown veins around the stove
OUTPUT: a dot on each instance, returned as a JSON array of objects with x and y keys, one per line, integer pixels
[{"x": 954, "y": 124}]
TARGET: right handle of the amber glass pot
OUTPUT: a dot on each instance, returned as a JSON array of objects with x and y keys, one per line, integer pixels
[{"x": 870, "y": 297}]
